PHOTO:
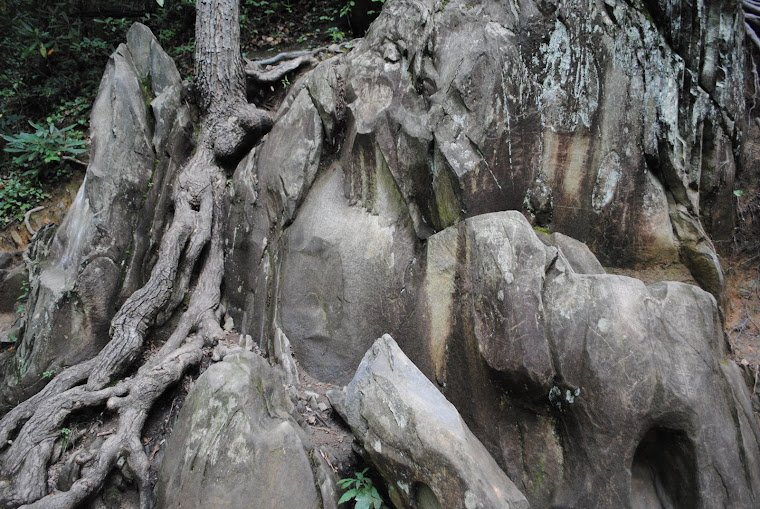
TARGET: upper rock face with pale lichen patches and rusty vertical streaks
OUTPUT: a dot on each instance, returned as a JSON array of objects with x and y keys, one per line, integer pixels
[{"x": 588, "y": 117}]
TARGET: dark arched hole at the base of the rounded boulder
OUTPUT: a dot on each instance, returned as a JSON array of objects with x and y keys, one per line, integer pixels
[{"x": 663, "y": 473}]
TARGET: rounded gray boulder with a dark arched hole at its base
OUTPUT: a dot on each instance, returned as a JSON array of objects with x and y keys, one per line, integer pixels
[{"x": 591, "y": 380}]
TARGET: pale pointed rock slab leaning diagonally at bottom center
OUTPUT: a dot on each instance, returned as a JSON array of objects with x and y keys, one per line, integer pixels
[{"x": 418, "y": 441}]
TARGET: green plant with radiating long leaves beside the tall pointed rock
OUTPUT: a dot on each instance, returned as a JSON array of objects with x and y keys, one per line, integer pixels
[{"x": 46, "y": 145}]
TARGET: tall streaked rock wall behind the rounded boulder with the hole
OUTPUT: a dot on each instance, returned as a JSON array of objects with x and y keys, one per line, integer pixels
[{"x": 588, "y": 118}]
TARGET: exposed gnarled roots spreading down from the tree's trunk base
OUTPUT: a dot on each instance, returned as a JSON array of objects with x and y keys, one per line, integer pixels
[{"x": 26, "y": 460}]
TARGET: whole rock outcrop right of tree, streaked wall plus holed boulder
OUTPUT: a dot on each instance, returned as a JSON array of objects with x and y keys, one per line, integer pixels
[{"x": 615, "y": 124}]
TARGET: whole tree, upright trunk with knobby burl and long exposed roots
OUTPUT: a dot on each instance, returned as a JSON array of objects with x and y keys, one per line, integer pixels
[{"x": 192, "y": 244}]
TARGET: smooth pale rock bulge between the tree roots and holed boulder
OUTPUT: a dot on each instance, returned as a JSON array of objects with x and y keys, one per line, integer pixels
[{"x": 330, "y": 267}]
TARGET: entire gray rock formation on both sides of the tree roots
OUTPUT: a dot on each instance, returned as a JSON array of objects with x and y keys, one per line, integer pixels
[{"x": 406, "y": 188}]
